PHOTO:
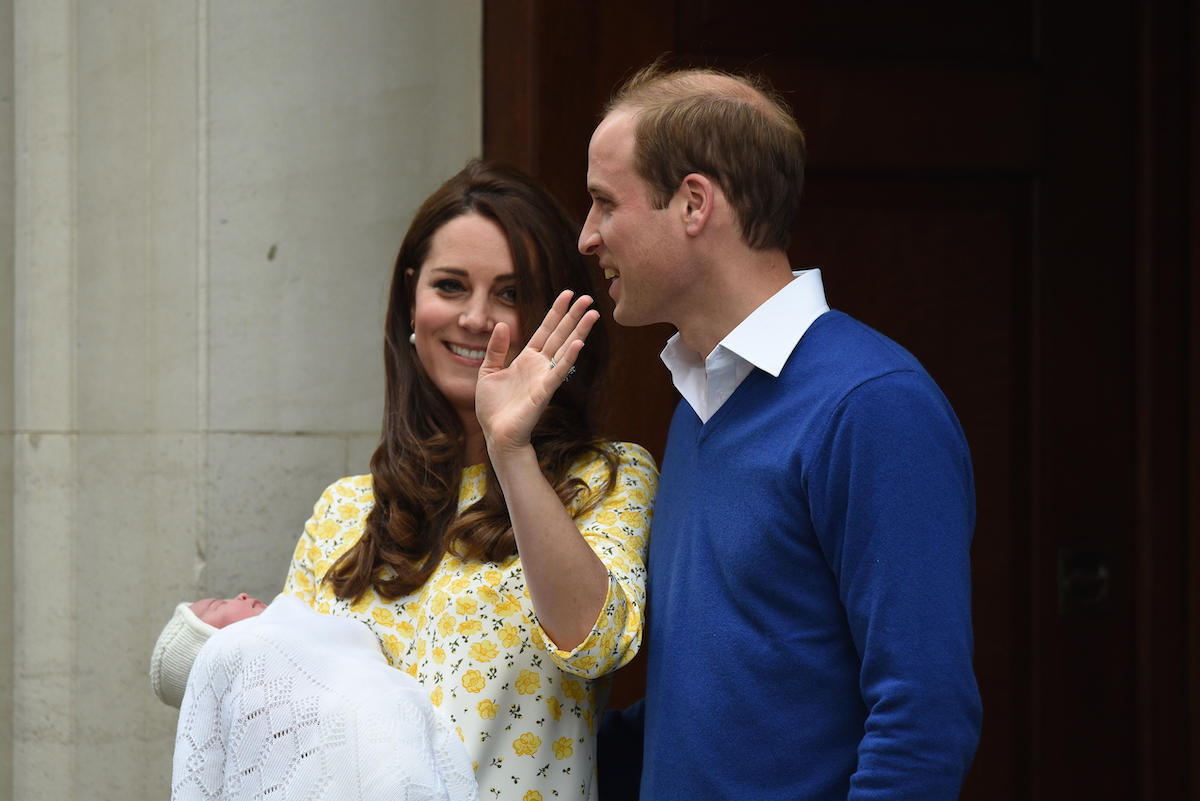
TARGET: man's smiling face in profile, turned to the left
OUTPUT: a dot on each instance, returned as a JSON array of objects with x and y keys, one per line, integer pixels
[{"x": 638, "y": 245}]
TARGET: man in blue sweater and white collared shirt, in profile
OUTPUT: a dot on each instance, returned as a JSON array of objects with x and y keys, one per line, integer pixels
[{"x": 809, "y": 580}]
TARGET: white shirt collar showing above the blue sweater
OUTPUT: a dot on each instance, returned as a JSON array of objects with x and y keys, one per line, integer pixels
[{"x": 765, "y": 340}]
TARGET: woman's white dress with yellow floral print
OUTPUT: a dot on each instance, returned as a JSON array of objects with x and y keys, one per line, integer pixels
[{"x": 527, "y": 712}]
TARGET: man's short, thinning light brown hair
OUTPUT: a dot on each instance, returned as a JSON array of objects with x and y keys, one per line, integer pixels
[{"x": 733, "y": 129}]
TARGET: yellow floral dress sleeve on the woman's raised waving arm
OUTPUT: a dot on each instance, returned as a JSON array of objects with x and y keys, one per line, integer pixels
[{"x": 619, "y": 532}]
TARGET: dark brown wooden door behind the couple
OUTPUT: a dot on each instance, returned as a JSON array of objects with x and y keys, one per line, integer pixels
[{"x": 1004, "y": 188}]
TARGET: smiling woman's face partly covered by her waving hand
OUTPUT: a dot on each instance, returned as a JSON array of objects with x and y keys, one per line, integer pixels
[{"x": 466, "y": 286}]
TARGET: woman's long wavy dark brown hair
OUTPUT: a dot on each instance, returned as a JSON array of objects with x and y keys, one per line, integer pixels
[{"x": 417, "y": 469}]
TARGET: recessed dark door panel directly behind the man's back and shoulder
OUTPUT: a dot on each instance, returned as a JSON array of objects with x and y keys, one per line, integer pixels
[{"x": 943, "y": 268}]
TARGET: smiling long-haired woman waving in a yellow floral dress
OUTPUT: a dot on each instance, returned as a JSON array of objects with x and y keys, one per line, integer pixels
[{"x": 497, "y": 547}]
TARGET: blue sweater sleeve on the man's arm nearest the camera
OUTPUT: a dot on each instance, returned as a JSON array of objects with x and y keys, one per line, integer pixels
[{"x": 896, "y": 516}]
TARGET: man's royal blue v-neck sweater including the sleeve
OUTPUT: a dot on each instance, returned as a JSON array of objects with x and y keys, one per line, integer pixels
[{"x": 809, "y": 595}]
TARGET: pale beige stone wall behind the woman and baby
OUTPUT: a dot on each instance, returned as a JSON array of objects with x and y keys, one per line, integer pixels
[{"x": 206, "y": 201}]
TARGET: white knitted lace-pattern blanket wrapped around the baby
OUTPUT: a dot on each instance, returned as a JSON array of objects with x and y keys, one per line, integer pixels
[{"x": 295, "y": 704}]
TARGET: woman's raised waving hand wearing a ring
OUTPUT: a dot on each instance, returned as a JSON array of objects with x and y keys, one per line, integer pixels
[{"x": 509, "y": 401}]
